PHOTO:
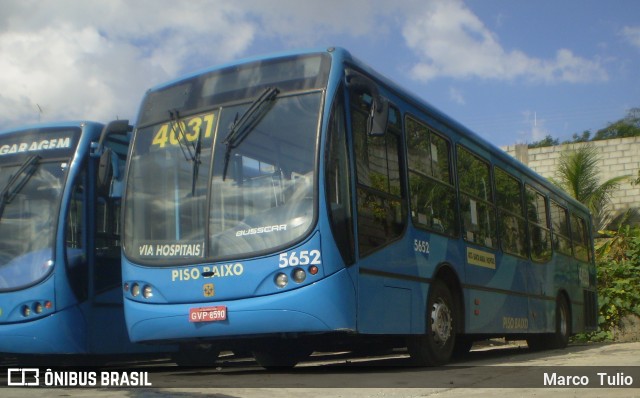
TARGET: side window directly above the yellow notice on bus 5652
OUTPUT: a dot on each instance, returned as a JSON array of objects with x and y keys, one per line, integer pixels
[{"x": 476, "y": 199}]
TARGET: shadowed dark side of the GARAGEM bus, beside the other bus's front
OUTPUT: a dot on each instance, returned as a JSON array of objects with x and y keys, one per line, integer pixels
[{"x": 104, "y": 311}]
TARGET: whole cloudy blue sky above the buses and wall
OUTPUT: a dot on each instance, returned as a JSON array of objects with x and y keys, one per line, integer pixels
[{"x": 513, "y": 71}]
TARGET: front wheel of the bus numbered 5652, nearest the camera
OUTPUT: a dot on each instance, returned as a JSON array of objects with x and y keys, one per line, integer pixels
[{"x": 435, "y": 347}]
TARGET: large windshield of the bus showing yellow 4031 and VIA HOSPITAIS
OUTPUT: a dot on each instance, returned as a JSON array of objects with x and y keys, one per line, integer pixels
[{"x": 231, "y": 179}]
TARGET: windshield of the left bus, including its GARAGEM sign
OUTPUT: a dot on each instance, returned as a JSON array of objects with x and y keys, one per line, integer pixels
[{"x": 33, "y": 166}]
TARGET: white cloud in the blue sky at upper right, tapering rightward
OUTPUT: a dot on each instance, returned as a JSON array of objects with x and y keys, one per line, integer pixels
[{"x": 451, "y": 41}]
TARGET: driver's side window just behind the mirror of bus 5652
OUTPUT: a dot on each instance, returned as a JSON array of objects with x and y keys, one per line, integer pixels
[{"x": 379, "y": 192}]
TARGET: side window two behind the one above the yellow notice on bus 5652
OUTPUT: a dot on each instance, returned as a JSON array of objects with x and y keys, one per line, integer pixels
[{"x": 539, "y": 230}]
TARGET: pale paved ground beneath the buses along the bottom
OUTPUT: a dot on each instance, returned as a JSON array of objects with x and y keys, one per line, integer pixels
[{"x": 502, "y": 371}]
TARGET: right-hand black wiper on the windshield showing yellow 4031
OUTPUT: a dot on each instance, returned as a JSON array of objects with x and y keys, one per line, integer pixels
[{"x": 244, "y": 125}]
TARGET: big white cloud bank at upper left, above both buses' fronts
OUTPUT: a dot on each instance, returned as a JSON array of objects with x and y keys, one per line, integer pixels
[{"x": 94, "y": 59}]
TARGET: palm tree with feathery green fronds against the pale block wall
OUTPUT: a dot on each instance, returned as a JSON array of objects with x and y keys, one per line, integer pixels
[{"x": 578, "y": 175}]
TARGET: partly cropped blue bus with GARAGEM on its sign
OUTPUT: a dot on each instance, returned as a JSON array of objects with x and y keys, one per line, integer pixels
[{"x": 60, "y": 268}]
